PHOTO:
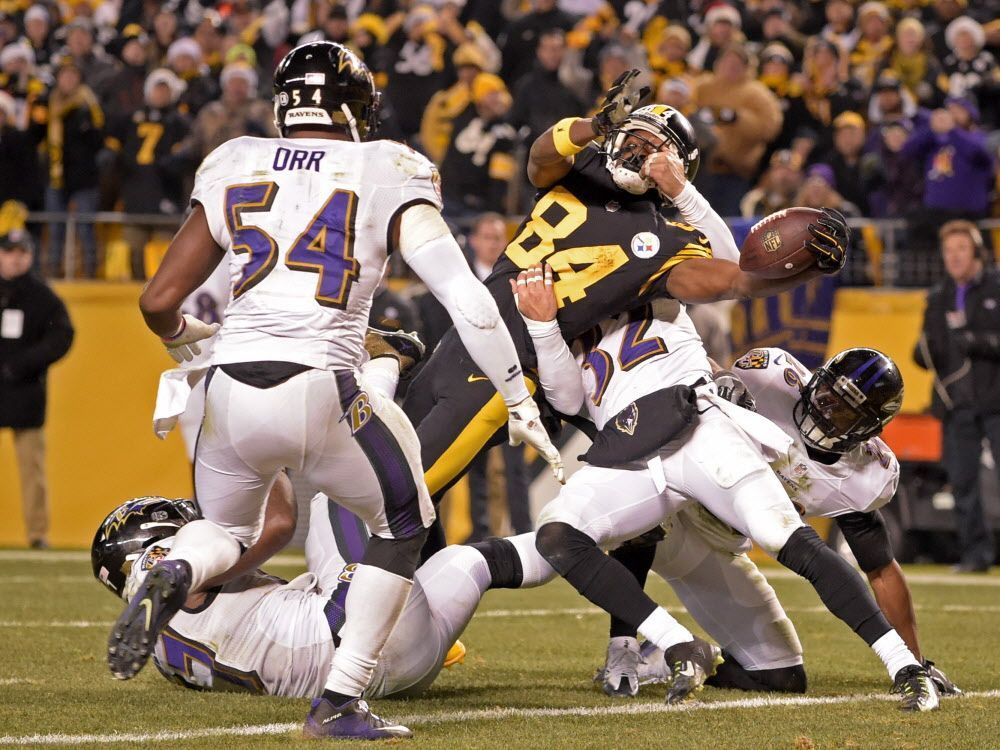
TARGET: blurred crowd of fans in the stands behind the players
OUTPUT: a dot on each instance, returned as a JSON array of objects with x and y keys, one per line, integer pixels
[{"x": 881, "y": 109}]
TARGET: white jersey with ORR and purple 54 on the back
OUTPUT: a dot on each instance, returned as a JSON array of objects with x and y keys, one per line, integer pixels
[{"x": 305, "y": 223}]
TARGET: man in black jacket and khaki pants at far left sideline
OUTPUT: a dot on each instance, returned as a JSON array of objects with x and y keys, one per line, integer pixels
[{"x": 35, "y": 332}]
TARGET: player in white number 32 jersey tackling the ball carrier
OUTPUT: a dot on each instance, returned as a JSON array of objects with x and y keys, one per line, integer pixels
[{"x": 648, "y": 375}]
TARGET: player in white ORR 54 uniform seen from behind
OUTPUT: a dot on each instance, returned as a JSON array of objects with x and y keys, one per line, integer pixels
[{"x": 306, "y": 222}]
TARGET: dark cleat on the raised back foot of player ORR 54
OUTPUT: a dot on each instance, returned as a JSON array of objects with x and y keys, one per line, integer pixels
[{"x": 134, "y": 634}]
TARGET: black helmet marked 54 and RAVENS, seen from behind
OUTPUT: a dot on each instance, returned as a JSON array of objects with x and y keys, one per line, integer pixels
[{"x": 325, "y": 86}]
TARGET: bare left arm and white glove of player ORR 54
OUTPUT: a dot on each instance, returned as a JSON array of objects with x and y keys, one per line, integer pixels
[{"x": 190, "y": 260}]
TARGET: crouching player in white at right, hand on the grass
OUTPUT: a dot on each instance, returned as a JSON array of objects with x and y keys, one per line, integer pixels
[{"x": 836, "y": 467}]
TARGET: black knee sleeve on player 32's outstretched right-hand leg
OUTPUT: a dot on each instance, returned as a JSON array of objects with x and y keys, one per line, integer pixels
[{"x": 840, "y": 587}]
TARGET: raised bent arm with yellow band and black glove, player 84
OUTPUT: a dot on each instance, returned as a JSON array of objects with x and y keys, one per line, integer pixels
[{"x": 551, "y": 155}]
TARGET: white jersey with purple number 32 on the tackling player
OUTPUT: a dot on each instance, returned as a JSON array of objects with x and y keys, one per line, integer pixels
[{"x": 636, "y": 353}]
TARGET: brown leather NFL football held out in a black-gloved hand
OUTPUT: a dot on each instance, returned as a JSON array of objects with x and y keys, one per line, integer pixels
[{"x": 775, "y": 248}]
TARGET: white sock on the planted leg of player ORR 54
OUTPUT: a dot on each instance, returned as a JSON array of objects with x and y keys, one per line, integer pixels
[{"x": 373, "y": 605}]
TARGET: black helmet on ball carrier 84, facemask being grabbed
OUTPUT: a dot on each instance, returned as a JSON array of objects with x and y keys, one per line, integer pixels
[{"x": 662, "y": 122}]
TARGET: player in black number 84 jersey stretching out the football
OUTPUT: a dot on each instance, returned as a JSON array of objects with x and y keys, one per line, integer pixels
[{"x": 598, "y": 223}]
